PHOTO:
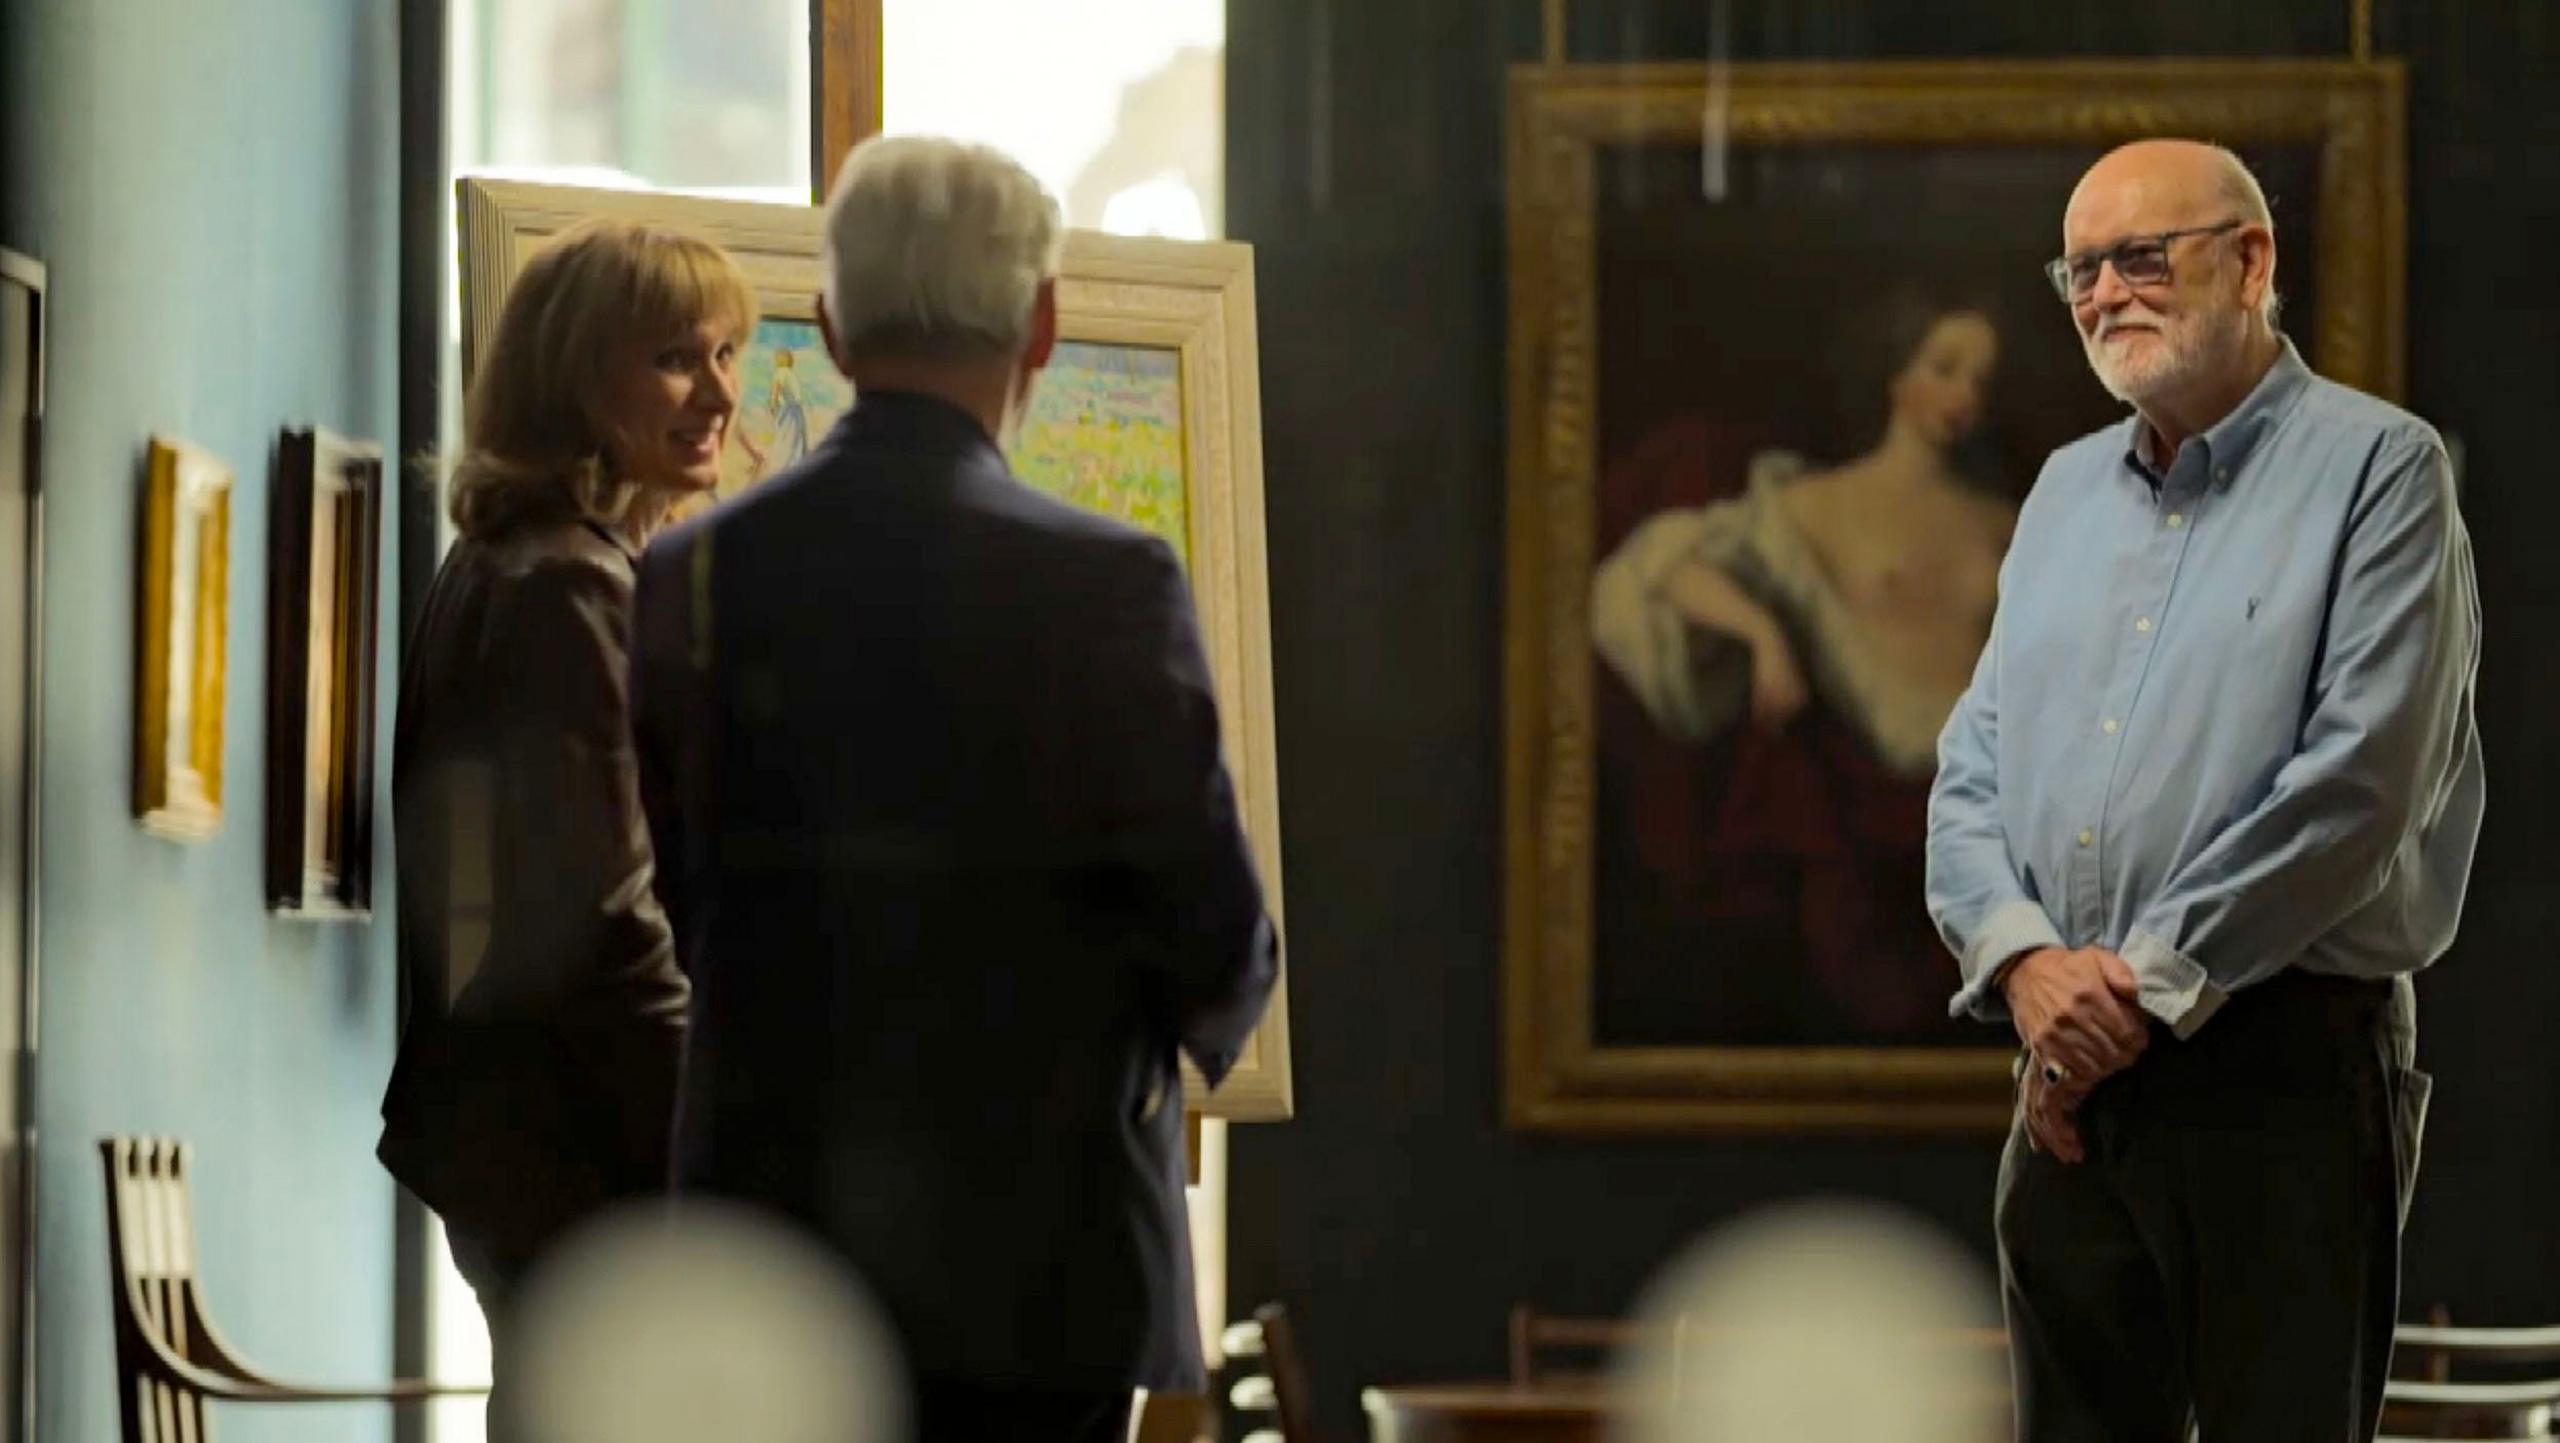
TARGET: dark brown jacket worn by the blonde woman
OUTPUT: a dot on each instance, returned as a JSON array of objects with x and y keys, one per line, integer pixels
[{"x": 544, "y": 1009}]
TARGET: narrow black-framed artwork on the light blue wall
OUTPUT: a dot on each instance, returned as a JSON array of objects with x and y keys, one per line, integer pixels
[{"x": 321, "y": 608}]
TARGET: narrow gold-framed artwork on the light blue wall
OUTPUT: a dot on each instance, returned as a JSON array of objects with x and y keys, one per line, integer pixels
[{"x": 186, "y": 626}]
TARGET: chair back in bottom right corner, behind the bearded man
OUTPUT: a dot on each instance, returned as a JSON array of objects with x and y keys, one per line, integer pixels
[{"x": 2438, "y": 1388}]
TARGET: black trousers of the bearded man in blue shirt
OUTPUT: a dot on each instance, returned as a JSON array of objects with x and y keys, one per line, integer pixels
[{"x": 2228, "y": 1252}]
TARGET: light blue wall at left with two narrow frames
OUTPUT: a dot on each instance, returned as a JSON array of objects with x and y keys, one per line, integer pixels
[{"x": 214, "y": 191}]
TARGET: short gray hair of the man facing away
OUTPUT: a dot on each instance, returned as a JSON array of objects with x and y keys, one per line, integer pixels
[{"x": 936, "y": 249}]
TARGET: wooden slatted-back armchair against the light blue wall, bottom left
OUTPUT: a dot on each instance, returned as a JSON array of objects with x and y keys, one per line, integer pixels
[{"x": 168, "y": 1355}]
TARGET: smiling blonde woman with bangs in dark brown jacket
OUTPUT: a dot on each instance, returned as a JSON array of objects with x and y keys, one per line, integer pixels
[{"x": 544, "y": 1002}]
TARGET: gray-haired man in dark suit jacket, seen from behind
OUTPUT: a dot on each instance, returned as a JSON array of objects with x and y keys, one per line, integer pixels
[{"x": 946, "y": 838}]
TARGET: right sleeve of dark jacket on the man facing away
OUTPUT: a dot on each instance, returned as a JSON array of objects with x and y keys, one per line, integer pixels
[{"x": 1169, "y": 817}]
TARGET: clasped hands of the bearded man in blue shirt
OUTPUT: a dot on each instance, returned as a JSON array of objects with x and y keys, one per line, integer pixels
[{"x": 2077, "y": 1012}]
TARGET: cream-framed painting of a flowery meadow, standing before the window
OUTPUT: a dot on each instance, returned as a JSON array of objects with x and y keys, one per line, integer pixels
[{"x": 1151, "y": 413}]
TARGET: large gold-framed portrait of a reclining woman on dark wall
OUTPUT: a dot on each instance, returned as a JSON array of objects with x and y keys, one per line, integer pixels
[{"x": 1783, "y": 365}]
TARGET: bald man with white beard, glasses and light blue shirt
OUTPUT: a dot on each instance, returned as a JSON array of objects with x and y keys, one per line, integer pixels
[{"x": 2205, "y": 810}]
